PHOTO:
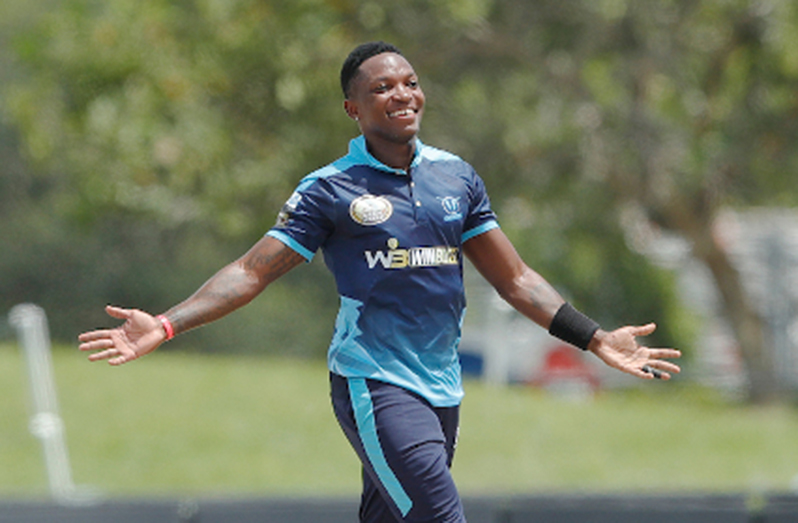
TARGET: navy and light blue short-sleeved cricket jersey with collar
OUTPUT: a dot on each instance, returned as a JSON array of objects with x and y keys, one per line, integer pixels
[{"x": 393, "y": 241}]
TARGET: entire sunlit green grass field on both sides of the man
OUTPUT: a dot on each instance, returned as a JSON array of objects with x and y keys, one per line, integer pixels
[{"x": 176, "y": 424}]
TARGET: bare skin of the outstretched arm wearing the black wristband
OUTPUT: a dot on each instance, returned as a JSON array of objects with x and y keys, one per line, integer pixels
[{"x": 528, "y": 292}]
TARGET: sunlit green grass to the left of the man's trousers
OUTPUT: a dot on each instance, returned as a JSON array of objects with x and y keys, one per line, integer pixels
[{"x": 182, "y": 423}]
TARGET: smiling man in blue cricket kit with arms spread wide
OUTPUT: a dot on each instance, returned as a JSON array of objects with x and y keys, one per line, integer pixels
[{"x": 392, "y": 218}]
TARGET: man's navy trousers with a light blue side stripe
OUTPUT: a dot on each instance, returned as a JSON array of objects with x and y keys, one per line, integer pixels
[{"x": 406, "y": 447}]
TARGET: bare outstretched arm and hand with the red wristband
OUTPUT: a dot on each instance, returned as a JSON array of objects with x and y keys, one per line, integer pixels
[{"x": 232, "y": 287}]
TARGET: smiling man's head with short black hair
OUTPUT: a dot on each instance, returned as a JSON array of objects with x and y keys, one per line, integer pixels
[{"x": 386, "y": 99}]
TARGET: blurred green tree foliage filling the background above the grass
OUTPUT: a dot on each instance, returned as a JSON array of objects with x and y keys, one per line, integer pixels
[{"x": 152, "y": 142}]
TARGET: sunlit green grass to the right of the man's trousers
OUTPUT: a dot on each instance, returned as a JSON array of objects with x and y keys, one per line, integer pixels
[{"x": 664, "y": 438}]
